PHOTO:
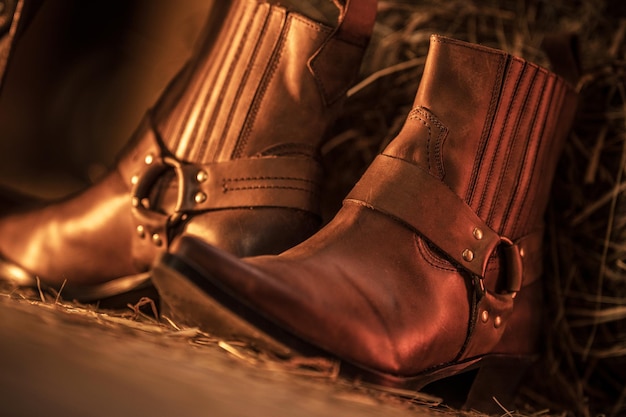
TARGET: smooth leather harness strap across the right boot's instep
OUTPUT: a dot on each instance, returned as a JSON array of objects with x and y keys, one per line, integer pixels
[{"x": 458, "y": 232}]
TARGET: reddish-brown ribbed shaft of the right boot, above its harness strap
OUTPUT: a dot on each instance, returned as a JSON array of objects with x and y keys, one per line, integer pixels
[{"x": 491, "y": 127}]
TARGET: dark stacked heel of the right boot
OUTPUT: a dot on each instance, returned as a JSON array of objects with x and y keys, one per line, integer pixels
[{"x": 497, "y": 379}]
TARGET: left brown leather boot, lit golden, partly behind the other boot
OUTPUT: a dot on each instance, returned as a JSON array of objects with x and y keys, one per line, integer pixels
[{"x": 228, "y": 153}]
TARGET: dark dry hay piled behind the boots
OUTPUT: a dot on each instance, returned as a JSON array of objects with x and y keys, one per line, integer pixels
[{"x": 583, "y": 370}]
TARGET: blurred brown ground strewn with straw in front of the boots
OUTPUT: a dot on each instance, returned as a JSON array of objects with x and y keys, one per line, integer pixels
[{"x": 60, "y": 359}]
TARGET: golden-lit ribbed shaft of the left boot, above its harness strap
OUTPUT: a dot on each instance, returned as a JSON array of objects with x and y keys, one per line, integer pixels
[{"x": 270, "y": 84}]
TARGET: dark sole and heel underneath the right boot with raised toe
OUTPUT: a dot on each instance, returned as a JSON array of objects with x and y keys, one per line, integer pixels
[{"x": 196, "y": 300}]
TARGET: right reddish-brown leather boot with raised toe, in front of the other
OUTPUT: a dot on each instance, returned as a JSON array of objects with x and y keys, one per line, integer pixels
[{"x": 432, "y": 266}]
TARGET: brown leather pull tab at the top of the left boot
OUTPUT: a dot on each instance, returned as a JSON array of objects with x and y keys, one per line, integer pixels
[{"x": 333, "y": 64}]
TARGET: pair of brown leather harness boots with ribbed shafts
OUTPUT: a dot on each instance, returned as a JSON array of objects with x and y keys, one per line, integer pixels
[{"x": 430, "y": 269}]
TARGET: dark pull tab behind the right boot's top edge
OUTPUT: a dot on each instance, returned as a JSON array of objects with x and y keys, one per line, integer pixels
[{"x": 563, "y": 52}]
